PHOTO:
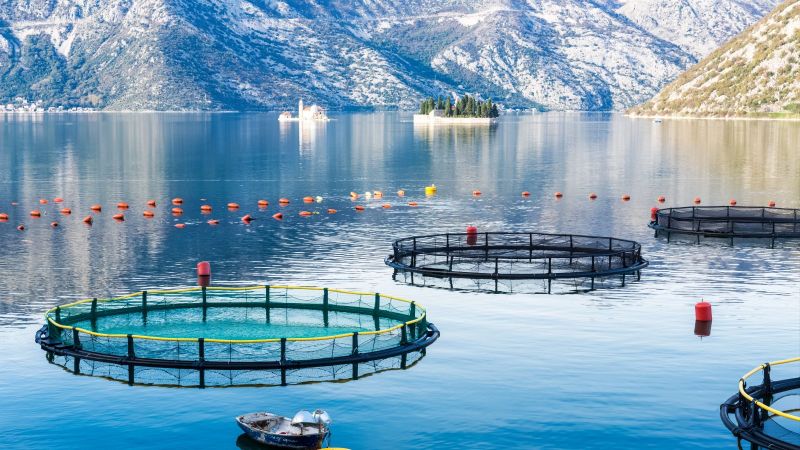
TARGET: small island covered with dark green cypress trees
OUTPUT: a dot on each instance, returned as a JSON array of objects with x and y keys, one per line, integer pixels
[{"x": 465, "y": 110}]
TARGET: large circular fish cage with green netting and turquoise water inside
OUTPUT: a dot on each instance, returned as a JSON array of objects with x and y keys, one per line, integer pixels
[{"x": 233, "y": 336}]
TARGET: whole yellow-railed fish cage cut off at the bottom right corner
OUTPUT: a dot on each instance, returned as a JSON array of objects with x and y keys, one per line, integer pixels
[{"x": 766, "y": 415}]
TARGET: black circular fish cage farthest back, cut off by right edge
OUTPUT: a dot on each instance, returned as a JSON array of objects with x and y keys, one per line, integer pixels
[{"x": 728, "y": 222}]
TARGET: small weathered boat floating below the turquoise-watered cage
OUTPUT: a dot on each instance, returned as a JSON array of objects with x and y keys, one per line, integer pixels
[{"x": 305, "y": 430}]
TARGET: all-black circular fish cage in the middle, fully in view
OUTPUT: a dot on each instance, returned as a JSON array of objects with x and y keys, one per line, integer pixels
[{"x": 507, "y": 262}]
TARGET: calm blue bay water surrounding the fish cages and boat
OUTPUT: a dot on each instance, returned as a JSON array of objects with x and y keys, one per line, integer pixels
[{"x": 614, "y": 368}]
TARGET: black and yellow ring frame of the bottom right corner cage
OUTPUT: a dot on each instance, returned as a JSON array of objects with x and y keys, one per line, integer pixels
[{"x": 745, "y": 413}]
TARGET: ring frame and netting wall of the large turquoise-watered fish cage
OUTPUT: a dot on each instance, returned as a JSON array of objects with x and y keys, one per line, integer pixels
[{"x": 413, "y": 334}]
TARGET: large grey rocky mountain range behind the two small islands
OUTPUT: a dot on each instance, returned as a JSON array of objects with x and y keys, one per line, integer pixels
[{"x": 265, "y": 54}]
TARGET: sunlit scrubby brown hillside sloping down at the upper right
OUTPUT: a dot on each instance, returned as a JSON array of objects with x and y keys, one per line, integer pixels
[{"x": 755, "y": 74}]
